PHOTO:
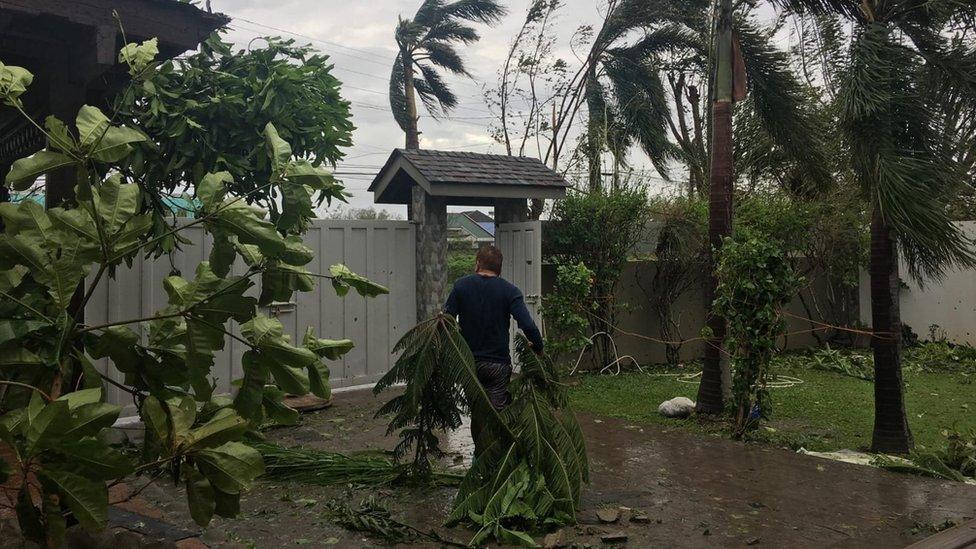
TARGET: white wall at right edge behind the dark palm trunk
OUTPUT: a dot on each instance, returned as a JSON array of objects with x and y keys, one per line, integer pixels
[{"x": 950, "y": 303}]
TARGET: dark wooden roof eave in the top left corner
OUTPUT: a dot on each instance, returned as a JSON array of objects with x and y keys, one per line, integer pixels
[{"x": 71, "y": 47}]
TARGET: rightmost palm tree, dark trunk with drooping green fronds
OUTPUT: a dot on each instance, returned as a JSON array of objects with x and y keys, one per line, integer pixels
[{"x": 904, "y": 162}]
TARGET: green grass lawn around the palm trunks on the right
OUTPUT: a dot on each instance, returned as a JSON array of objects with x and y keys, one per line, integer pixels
[{"x": 828, "y": 411}]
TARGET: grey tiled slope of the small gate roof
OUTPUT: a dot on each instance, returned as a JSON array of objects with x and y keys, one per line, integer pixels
[{"x": 477, "y": 168}]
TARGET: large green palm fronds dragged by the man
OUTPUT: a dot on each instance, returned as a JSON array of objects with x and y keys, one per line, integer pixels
[{"x": 530, "y": 472}]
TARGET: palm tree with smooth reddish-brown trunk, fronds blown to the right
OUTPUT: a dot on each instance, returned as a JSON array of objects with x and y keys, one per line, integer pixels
[{"x": 782, "y": 122}]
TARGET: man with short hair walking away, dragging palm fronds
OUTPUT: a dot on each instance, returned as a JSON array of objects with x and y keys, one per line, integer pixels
[{"x": 484, "y": 302}]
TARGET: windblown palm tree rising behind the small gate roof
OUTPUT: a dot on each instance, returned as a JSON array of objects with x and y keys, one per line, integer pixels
[{"x": 427, "y": 43}]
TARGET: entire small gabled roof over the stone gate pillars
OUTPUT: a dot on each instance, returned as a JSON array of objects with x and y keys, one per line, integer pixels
[{"x": 465, "y": 178}]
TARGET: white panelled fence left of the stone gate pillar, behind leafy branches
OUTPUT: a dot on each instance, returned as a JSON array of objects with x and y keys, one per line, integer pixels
[{"x": 383, "y": 251}]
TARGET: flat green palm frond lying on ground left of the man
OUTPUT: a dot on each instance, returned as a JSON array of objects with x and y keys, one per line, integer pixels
[{"x": 310, "y": 466}]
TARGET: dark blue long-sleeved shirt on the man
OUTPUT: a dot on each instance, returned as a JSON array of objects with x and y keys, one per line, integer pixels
[{"x": 484, "y": 305}]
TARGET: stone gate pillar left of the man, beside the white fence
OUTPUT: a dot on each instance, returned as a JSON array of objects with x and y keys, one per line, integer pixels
[{"x": 429, "y": 213}]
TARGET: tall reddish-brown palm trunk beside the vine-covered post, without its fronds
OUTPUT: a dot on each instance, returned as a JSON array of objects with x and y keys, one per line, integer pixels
[{"x": 711, "y": 390}]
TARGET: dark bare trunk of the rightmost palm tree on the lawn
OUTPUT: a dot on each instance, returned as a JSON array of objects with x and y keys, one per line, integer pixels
[{"x": 891, "y": 432}]
